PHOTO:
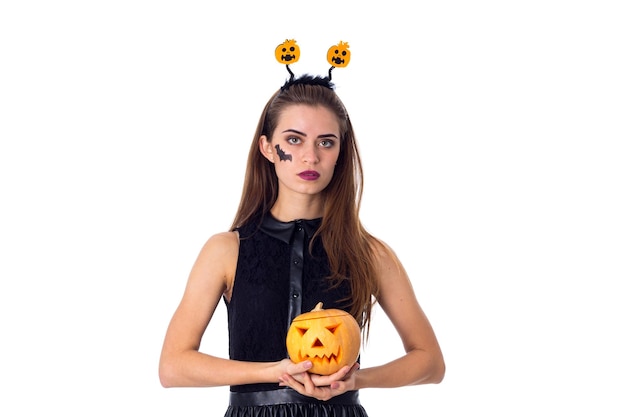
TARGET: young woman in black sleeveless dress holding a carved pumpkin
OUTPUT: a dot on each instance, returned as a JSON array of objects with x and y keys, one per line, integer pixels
[{"x": 296, "y": 240}]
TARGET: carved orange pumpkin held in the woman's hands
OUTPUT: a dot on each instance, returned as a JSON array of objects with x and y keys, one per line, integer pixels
[{"x": 330, "y": 339}]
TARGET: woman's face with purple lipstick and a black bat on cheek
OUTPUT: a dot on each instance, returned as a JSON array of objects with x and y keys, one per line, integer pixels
[{"x": 304, "y": 148}]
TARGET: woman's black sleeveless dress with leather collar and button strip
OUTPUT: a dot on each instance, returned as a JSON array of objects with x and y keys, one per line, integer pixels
[{"x": 278, "y": 278}]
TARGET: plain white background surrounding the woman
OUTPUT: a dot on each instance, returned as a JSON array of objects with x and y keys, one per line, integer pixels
[{"x": 492, "y": 134}]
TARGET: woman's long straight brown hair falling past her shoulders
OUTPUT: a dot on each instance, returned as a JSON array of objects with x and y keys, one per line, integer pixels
[{"x": 348, "y": 245}]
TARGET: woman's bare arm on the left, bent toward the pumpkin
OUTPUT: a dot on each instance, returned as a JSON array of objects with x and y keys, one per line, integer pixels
[{"x": 181, "y": 364}]
